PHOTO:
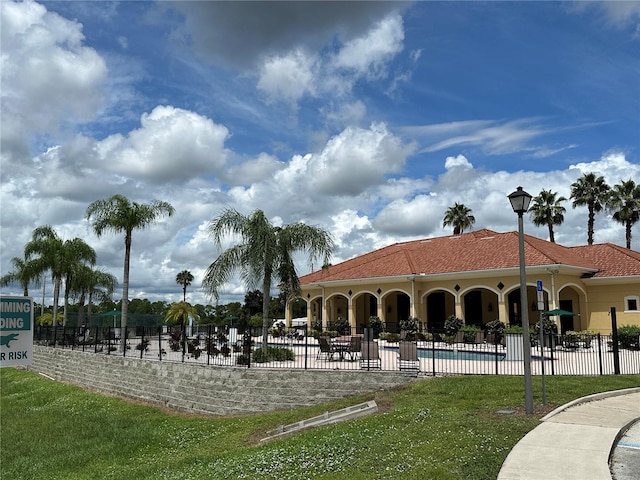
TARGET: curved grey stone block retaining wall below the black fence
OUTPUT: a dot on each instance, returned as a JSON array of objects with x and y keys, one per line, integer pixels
[{"x": 205, "y": 388}]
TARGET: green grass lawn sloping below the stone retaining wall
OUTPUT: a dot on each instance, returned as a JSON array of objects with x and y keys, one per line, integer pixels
[{"x": 443, "y": 428}]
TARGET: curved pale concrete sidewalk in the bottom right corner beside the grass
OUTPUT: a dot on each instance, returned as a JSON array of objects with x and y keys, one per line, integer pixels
[{"x": 575, "y": 440}]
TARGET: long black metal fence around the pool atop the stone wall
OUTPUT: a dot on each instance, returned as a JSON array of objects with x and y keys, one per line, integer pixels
[{"x": 430, "y": 353}]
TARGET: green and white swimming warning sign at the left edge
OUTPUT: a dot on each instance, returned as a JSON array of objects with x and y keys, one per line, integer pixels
[{"x": 16, "y": 331}]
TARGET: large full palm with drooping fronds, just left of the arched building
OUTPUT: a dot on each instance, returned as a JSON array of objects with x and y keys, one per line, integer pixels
[{"x": 264, "y": 254}]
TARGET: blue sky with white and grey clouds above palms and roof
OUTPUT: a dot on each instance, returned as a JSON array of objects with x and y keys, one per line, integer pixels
[{"x": 368, "y": 119}]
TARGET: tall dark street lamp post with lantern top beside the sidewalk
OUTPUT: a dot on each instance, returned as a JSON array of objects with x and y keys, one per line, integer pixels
[{"x": 520, "y": 201}]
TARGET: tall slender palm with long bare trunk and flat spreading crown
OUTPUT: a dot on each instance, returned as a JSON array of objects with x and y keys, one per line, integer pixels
[{"x": 118, "y": 214}]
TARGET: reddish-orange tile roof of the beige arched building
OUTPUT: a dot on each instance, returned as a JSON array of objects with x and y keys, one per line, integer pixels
[{"x": 477, "y": 251}]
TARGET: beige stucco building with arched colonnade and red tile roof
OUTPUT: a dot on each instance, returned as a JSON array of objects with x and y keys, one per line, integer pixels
[{"x": 475, "y": 276}]
